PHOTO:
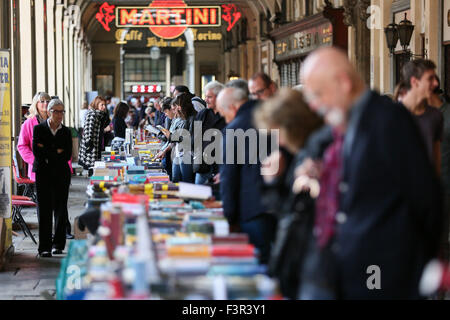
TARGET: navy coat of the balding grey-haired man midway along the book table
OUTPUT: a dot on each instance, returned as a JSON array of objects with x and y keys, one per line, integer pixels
[{"x": 240, "y": 184}]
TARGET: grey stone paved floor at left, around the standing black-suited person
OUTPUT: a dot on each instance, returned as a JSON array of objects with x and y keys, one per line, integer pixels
[{"x": 26, "y": 276}]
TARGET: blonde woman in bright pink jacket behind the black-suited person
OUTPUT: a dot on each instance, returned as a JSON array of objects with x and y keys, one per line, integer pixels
[{"x": 37, "y": 114}]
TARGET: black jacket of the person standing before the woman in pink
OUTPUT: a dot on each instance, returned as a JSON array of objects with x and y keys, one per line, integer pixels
[{"x": 46, "y": 158}]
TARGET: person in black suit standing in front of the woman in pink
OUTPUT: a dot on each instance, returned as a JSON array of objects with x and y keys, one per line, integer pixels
[{"x": 52, "y": 148}]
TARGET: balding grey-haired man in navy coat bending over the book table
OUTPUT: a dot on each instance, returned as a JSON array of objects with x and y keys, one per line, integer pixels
[{"x": 241, "y": 181}]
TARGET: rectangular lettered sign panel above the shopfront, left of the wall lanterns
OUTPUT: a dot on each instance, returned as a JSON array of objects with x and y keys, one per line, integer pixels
[{"x": 305, "y": 41}]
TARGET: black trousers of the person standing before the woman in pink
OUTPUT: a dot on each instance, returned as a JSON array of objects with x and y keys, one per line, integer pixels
[{"x": 52, "y": 194}]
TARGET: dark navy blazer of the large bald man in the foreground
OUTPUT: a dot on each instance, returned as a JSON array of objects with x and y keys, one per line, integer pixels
[{"x": 390, "y": 205}]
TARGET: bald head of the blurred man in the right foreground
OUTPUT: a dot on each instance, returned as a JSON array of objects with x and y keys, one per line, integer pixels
[{"x": 330, "y": 81}]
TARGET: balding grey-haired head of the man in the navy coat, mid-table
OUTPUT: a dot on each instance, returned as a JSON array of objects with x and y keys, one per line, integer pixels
[{"x": 229, "y": 101}]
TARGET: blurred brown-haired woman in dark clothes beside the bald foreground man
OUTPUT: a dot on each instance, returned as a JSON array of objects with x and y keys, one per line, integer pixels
[{"x": 287, "y": 112}]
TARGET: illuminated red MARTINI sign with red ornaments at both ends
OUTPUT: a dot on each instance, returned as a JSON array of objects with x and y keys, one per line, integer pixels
[{"x": 168, "y": 19}]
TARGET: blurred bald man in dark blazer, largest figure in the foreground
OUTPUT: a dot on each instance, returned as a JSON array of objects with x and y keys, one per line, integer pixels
[{"x": 388, "y": 220}]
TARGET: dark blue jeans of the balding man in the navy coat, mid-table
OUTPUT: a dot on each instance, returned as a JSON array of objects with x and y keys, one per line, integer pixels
[{"x": 261, "y": 232}]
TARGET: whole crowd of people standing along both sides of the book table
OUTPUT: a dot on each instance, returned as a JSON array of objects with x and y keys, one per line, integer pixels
[{"x": 359, "y": 180}]
